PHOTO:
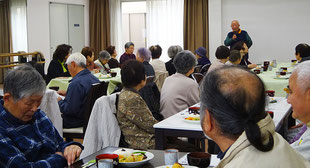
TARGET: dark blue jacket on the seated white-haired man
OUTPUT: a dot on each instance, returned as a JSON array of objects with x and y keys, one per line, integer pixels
[{"x": 72, "y": 106}]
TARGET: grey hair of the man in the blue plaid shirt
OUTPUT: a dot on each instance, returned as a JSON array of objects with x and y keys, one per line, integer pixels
[{"x": 24, "y": 81}]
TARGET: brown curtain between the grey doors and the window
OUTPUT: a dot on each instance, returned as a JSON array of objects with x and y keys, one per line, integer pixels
[{"x": 99, "y": 25}]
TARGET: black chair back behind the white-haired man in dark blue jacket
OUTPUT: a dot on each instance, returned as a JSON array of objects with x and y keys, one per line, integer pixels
[{"x": 97, "y": 90}]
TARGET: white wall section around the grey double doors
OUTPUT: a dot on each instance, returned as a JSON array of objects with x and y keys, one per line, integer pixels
[{"x": 38, "y": 25}]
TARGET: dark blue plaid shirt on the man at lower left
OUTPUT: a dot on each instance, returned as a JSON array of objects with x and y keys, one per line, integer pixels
[{"x": 30, "y": 144}]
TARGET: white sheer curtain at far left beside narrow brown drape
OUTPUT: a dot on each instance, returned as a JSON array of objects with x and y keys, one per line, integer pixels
[{"x": 19, "y": 25}]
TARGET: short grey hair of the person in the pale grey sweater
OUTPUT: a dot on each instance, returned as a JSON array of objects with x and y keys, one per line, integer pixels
[{"x": 184, "y": 61}]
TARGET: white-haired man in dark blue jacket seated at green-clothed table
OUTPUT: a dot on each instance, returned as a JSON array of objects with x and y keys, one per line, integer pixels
[{"x": 72, "y": 107}]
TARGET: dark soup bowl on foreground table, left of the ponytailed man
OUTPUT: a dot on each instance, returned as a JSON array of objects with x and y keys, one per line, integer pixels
[{"x": 200, "y": 159}]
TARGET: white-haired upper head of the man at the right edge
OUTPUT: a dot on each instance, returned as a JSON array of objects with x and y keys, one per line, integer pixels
[{"x": 302, "y": 71}]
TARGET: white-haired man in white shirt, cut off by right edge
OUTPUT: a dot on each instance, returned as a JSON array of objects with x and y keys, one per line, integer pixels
[{"x": 299, "y": 98}]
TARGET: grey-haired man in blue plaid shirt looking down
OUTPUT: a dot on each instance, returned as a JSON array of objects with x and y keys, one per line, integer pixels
[{"x": 27, "y": 137}]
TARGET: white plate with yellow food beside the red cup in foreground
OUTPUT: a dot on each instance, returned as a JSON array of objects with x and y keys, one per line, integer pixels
[{"x": 132, "y": 158}]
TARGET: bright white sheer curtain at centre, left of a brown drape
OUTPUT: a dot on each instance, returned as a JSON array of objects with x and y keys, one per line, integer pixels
[{"x": 164, "y": 24}]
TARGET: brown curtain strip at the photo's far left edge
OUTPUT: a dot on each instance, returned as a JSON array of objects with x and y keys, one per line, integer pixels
[{"x": 5, "y": 33}]
